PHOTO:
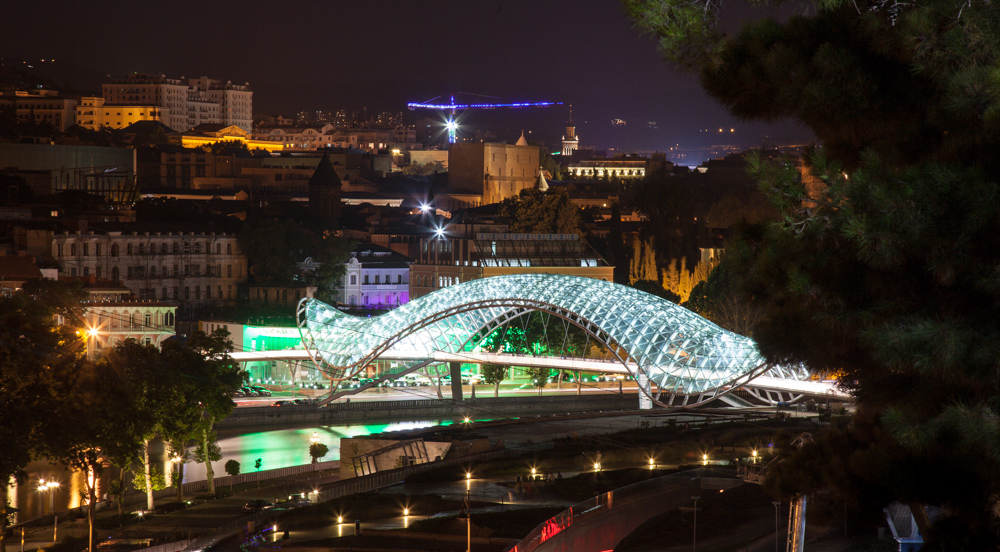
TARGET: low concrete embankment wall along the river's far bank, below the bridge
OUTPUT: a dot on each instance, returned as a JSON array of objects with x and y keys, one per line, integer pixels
[{"x": 477, "y": 409}]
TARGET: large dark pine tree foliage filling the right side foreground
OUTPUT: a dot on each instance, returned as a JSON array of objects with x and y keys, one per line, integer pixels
[{"x": 884, "y": 264}]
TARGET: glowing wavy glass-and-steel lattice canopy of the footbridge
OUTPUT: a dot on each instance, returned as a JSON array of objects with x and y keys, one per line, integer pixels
[{"x": 678, "y": 350}]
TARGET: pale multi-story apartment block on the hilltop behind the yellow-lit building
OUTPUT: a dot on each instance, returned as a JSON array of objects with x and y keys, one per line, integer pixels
[{"x": 187, "y": 104}]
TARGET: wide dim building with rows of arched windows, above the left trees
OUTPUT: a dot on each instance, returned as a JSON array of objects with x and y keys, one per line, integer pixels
[{"x": 191, "y": 269}]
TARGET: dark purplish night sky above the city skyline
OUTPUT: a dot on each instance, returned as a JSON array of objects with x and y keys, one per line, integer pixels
[{"x": 308, "y": 55}]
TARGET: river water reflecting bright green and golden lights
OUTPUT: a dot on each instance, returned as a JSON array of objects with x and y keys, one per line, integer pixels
[{"x": 277, "y": 448}]
